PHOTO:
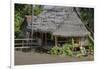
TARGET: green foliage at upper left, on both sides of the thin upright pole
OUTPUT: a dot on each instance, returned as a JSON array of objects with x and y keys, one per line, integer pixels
[{"x": 20, "y": 11}]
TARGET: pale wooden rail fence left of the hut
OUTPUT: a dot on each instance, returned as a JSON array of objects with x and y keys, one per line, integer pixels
[{"x": 26, "y": 43}]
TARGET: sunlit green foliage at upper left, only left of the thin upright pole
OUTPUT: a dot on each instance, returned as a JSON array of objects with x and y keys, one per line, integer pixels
[{"x": 20, "y": 11}]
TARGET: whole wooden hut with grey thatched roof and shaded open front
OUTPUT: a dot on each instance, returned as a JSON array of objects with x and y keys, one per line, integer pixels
[{"x": 58, "y": 25}]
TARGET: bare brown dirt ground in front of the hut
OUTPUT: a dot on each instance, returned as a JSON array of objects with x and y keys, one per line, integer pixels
[{"x": 27, "y": 58}]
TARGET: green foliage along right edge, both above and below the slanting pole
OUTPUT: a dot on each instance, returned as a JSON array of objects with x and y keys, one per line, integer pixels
[{"x": 87, "y": 15}]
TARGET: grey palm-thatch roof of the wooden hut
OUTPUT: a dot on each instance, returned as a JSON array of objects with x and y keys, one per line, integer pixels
[{"x": 60, "y": 21}]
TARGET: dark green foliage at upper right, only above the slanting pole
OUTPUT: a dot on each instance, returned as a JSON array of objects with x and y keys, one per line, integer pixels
[{"x": 87, "y": 16}]
